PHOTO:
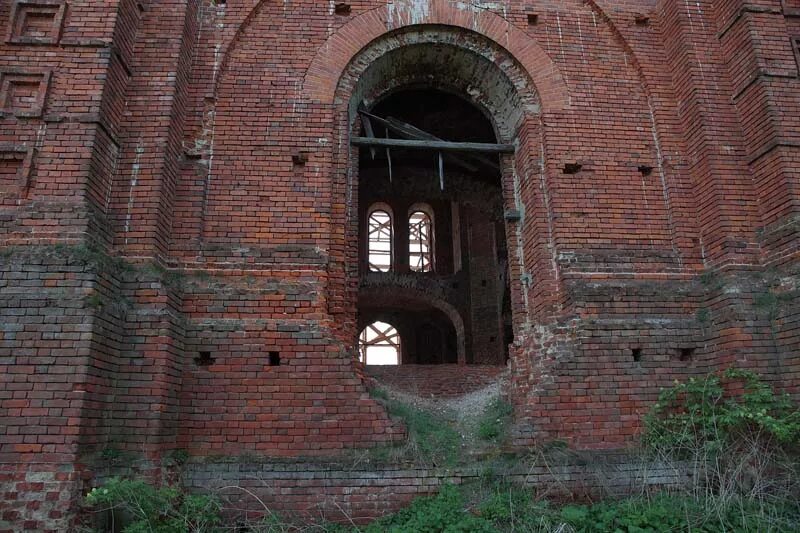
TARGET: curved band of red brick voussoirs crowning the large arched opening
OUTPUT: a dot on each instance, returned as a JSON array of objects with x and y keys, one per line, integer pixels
[{"x": 332, "y": 58}]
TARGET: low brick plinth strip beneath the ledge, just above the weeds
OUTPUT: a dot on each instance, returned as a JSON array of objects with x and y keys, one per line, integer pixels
[{"x": 317, "y": 491}]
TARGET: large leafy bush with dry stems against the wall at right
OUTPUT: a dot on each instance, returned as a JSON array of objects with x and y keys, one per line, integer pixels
[{"x": 738, "y": 439}]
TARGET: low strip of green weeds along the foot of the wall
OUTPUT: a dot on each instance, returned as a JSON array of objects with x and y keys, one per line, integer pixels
[{"x": 500, "y": 508}]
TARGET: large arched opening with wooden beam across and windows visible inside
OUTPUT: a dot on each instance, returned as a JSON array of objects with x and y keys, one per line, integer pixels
[{"x": 455, "y": 215}]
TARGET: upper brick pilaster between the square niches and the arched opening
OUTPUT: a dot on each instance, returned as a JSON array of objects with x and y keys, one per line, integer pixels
[{"x": 144, "y": 190}]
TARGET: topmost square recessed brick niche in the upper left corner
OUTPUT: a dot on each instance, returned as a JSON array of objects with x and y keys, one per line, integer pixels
[{"x": 36, "y": 22}]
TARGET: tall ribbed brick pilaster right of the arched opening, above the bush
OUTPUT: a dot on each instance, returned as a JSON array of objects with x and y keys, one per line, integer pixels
[{"x": 726, "y": 202}]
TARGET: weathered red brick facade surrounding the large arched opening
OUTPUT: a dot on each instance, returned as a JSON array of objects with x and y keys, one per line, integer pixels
[{"x": 180, "y": 218}]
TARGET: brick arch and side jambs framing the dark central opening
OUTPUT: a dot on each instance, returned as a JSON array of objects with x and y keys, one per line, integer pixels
[{"x": 505, "y": 91}]
